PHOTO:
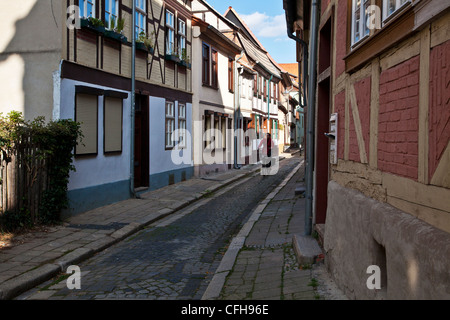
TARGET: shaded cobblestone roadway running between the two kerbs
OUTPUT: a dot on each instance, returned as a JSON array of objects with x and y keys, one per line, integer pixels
[{"x": 174, "y": 258}]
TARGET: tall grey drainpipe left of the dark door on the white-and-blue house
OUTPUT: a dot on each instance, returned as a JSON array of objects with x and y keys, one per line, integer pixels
[{"x": 133, "y": 99}]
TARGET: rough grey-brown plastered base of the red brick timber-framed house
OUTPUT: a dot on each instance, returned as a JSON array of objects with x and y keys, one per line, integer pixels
[{"x": 413, "y": 256}]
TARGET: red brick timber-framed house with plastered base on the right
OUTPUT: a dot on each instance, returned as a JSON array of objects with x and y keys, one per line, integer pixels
[{"x": 382, "y": 184}]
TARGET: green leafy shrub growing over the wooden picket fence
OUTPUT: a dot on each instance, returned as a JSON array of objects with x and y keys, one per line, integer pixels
[{"x": 44, "y": 154}]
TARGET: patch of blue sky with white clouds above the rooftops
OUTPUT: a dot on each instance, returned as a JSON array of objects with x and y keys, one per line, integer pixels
[{"x": 266, "y": 19}]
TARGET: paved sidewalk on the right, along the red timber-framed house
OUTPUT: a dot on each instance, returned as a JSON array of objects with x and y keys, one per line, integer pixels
[{"x": 267, "y": 267}]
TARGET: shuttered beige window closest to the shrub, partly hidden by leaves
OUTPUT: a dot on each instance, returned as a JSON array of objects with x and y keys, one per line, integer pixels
[{"x": 86, "y": 112}]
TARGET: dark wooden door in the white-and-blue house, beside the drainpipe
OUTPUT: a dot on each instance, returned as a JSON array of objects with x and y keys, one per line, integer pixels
[{"x": 141, "y": 142}]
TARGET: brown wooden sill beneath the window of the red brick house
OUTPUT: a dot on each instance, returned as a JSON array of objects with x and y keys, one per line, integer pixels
[{"x": 398, "y": 28}]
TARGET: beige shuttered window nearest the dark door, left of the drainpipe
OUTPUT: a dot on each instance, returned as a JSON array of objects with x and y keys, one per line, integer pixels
[{"x": 112, "y": 124}]
